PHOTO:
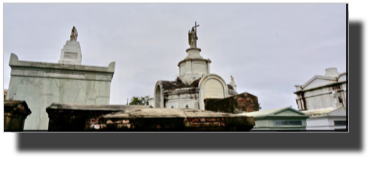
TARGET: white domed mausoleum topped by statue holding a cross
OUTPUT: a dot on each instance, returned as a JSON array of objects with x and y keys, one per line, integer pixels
[{"x": 195, "y": 82}]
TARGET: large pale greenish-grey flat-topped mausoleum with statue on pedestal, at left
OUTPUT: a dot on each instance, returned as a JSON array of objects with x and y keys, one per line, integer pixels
[{"x": 40, "y": 84}]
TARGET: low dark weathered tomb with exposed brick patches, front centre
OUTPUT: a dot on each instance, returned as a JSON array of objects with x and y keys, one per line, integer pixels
[{"x": 173, "y": 119}]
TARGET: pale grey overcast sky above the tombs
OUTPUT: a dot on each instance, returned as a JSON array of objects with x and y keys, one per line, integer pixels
[{"x": 267, "y": 47}]
